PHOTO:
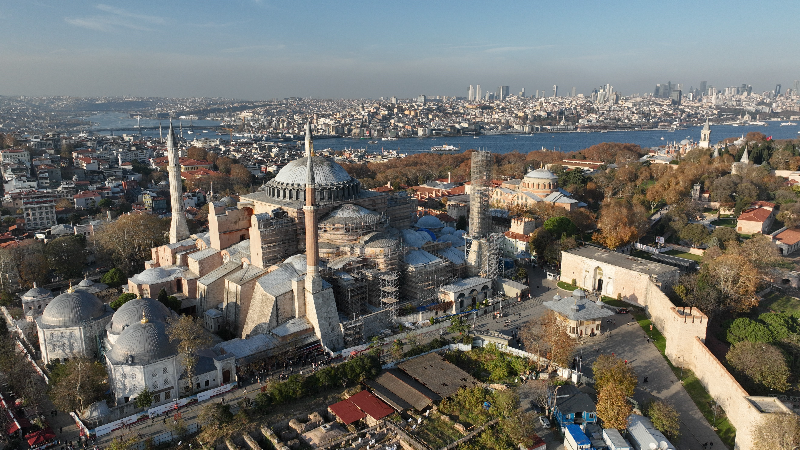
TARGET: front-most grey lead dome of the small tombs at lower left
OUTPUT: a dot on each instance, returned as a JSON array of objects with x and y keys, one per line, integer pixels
[{"x": 142, "y": 343}]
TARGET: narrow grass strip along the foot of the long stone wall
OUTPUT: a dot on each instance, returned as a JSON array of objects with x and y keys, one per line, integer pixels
[{"x": 693, "y": 387}]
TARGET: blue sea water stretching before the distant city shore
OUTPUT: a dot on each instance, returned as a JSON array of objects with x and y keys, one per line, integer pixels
[{"x": 499, "y": 143}]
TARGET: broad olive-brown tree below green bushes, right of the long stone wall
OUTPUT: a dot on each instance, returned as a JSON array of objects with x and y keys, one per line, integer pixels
[{"x": 762, "y": 364}]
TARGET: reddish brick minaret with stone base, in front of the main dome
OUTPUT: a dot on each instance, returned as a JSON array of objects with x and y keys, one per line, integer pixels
[{"x": 320, "y": 303}]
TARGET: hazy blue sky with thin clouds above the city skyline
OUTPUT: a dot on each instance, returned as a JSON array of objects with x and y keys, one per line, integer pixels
[{"x": 261, "y": 49}]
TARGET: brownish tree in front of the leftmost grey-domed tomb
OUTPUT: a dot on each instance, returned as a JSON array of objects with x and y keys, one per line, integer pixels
[{"x": 77, "y": 383}]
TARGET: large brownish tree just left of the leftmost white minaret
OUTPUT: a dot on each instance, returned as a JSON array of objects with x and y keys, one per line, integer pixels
[{"x": 127, "y": 241}]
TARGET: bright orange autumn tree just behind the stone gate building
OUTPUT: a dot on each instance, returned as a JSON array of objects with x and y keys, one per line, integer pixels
[{"x": 620, "y": 223}]
